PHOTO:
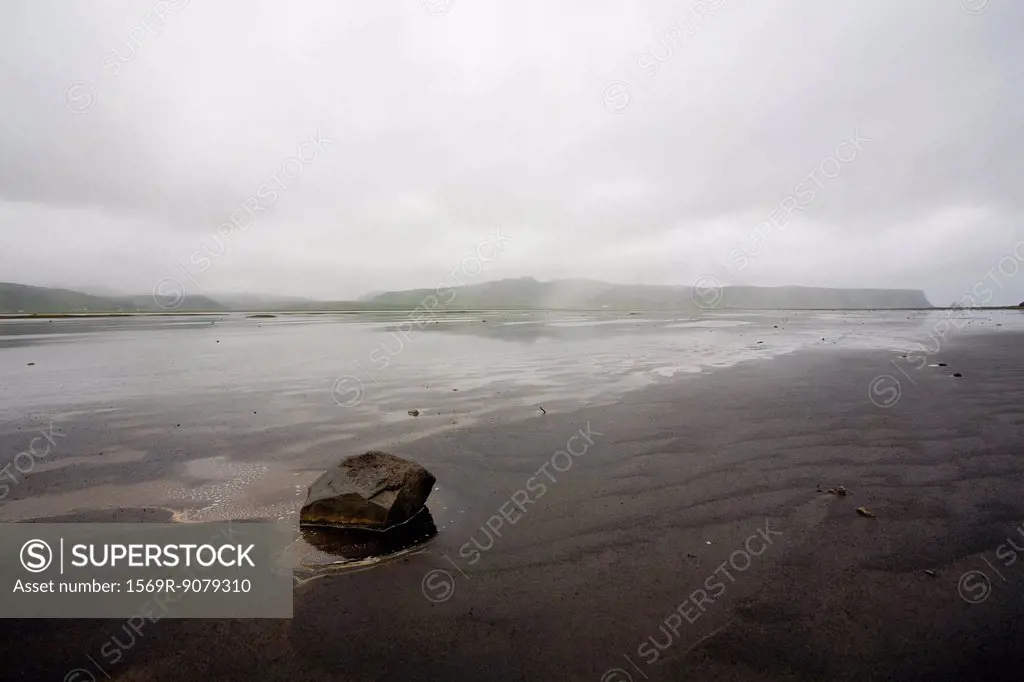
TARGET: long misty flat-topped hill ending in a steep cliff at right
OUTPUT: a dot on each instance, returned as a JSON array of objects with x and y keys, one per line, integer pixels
[{"x": 528, "y": 293}]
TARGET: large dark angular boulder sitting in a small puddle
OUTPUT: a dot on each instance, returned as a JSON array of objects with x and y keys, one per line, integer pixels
[{"x": 374, "y": 491}]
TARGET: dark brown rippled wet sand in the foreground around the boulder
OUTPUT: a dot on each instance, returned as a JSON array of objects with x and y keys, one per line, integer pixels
[{"x": 614, "y": 573}]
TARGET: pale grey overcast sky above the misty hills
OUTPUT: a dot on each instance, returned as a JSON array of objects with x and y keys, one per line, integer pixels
[{"x": 637, "y": 142}]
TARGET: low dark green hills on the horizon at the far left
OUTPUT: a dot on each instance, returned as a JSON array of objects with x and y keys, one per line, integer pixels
[{"x": 16, "y": 299}]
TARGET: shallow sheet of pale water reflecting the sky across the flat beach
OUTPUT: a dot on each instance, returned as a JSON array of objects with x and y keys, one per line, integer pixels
[{"x": 229, "y": 417}]
